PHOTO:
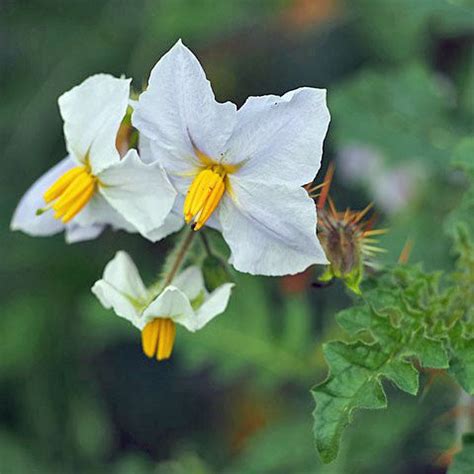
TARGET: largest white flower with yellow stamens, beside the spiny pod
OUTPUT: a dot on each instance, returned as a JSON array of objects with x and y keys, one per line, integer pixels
[{"x": 245, "y": 167}]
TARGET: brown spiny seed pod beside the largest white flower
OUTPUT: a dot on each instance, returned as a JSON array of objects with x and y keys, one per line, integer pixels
[{"x": 347, "y": 238}]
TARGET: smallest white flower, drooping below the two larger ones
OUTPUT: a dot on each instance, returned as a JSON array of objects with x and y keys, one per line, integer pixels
[{"x": 185, "y": 301}]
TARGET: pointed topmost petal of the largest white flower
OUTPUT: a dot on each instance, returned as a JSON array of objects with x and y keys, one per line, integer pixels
[{"x": 179, "y": 109}]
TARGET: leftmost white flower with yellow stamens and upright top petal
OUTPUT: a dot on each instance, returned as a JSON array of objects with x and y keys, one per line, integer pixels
[{"x": 92, "y": 186}]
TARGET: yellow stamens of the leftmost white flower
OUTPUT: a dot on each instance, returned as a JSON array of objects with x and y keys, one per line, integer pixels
[{"x": 71, "y": 192}]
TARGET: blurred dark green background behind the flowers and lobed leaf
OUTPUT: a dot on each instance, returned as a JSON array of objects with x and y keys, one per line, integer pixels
[{"x": 76, "y": 393}]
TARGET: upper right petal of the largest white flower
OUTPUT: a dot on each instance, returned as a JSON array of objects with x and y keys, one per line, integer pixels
[{"x": 281, "y": 138}]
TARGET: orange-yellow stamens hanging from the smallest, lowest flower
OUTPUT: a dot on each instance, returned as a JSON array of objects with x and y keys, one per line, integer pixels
[{"x": 158, "y": 338}]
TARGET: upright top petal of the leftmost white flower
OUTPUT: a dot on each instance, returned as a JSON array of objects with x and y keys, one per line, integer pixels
[{"x": 92, "y": 113}]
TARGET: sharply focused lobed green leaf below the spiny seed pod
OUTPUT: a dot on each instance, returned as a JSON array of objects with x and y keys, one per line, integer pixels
[{"x": 402, "y": 317}]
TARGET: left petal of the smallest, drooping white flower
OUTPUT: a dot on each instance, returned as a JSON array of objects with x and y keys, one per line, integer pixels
[{"x": 121, "y": 288}]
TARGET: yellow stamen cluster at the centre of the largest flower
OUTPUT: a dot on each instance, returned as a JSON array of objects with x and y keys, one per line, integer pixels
[{"x": 205, "y": 194}]
